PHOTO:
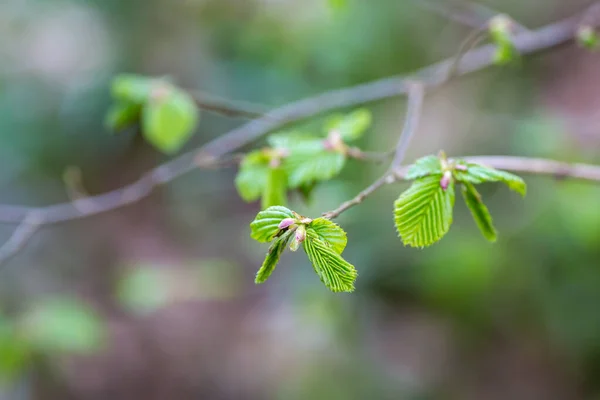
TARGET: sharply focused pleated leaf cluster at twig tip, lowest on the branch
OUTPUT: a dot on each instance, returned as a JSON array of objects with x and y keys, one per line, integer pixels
[{"x": 322, "y": 241}]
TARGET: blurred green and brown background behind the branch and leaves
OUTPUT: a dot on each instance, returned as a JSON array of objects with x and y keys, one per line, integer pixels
[{"x": 157, "y": 300}]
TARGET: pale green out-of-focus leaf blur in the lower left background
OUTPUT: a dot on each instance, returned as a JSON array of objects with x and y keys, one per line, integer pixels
[{"x": 65, "y": 325}]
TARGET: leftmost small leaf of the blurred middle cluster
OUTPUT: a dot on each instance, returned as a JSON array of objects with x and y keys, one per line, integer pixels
[{"x": 253, "y": 175}]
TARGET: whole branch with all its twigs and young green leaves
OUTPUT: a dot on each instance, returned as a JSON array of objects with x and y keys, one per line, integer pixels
[{"x": 296, "y": 161}]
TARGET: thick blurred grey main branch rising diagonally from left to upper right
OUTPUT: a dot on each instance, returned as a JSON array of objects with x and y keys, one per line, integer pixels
[{"x": 433, "y": 76}]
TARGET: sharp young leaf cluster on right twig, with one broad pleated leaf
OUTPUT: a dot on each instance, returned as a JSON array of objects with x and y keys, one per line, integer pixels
[{"x": 423, "y": 213}]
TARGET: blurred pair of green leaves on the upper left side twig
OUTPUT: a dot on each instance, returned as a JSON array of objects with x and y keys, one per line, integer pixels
[{"x": 168, "y": 114}]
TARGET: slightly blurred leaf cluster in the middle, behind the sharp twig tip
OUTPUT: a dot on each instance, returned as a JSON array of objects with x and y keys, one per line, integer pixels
[{"x": 297, "y": 161}]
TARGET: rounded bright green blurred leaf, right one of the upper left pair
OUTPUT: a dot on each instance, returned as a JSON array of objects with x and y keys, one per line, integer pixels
[{"x": 169, "y": 119}]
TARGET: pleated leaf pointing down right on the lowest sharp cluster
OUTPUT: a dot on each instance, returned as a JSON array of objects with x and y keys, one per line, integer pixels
[{"x": 335, "y": 272}]
